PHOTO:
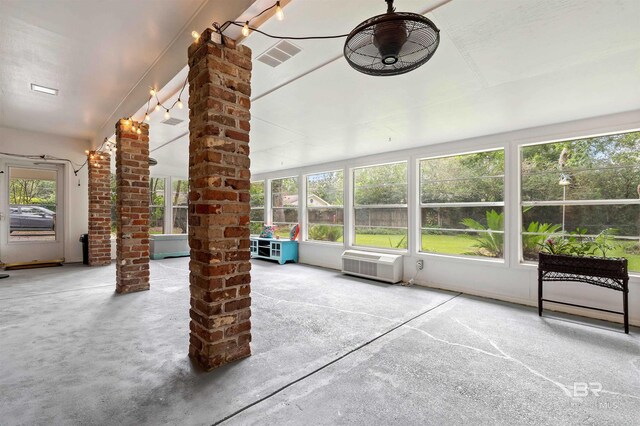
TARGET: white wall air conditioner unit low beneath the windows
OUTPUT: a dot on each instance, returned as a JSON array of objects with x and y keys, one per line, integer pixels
[{"x": 379, "y": 266}]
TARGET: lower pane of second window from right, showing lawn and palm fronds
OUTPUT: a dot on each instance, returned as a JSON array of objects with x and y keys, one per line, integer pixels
[{"x": 474, "y": 231}]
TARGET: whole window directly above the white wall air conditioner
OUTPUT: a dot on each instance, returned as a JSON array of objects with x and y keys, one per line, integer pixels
[{"x": 380, "y": 206}]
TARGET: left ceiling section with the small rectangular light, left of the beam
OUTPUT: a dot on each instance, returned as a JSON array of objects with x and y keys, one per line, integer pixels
[{"x": 94, "y": 52}]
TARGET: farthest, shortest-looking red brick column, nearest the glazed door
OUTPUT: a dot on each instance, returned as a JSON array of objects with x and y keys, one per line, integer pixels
[{"x": 99, "y": 208}]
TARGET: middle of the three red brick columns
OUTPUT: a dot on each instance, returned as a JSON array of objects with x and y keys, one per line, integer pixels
[{"x": 132, "y": 207}]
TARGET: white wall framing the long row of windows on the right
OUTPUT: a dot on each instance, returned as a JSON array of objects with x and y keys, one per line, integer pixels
[{"x": 507, "y": 280}]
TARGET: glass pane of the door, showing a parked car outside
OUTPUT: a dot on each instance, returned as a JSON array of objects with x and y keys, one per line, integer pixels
[{"x": 32, "y": 204}]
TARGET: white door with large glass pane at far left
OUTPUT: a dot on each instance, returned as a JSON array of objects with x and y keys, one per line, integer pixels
[{"x": 31, "y": 212}]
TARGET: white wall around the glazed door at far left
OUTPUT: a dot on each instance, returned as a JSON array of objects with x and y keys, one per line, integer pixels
[{"x": 75, "y": 201}]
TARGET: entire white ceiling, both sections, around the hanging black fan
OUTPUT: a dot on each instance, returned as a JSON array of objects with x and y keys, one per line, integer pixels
[{"x": 502, "y": 65}]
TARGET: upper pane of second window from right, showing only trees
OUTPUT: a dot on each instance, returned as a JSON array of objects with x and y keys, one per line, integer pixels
[{"x": 475, "y": 177}]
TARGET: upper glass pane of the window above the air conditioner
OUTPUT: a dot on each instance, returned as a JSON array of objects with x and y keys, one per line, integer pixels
[{"x": 384, "y": 184}]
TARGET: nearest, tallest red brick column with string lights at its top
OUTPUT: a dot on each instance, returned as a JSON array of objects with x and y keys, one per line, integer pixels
[{"x": 219, "y": 179}]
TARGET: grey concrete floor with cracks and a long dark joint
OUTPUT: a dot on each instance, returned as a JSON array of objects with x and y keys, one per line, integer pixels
[{"x": 327, "y": 349}]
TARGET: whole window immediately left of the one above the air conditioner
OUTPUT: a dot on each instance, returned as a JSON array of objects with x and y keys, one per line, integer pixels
[{"x": 325, "y": 206}]
